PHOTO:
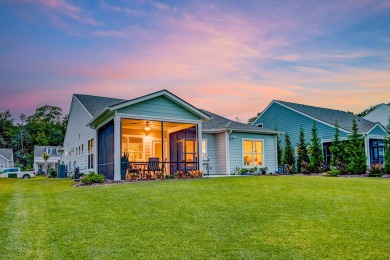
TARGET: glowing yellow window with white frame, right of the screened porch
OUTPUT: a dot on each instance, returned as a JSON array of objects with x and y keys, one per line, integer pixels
[{"x": 252, "y": 153}]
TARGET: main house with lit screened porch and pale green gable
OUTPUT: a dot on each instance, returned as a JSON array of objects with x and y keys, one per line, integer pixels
[{"x": 102, "y": 131}]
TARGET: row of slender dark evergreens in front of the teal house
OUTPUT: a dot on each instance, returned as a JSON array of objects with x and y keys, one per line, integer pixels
[{"x": 348, "y": 156}]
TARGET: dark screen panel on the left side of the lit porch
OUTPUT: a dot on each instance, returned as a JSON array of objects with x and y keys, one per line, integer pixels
[{"x": 106, "y": 150}]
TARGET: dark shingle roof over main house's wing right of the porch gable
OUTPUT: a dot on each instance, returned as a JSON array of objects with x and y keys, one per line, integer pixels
[{"x": 222, "y": 123}]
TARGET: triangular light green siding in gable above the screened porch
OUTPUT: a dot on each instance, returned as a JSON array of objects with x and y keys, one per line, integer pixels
[{"x": 159, "y": 107}]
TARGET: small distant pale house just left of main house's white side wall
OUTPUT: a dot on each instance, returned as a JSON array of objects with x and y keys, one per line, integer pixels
[{"x": 54, "y": 153}]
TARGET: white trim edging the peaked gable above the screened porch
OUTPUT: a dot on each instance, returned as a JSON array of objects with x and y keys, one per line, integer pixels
[{"x": 168, "y": 95}]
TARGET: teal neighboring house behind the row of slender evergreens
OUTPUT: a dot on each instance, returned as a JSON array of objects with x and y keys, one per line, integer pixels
[{"x": 289, "y": 117}]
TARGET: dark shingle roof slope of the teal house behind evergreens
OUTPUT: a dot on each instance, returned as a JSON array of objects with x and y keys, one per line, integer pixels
[{"x": 331, "y": 116}]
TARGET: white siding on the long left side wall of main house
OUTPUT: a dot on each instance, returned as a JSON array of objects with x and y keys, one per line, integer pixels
[{"x": 77, "y": 134}]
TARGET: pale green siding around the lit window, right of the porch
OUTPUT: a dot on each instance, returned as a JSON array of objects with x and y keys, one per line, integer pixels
[{"x": 269, "y": 152}]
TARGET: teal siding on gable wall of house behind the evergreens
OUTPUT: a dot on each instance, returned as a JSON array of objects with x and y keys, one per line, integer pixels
[{"x": 286, "y": 120}]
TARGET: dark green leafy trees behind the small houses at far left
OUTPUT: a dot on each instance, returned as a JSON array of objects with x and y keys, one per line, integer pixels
[{"x": 46, "y": 126}]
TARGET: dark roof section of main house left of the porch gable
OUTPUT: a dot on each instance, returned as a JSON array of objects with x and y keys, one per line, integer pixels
[{"x": 95, "y": 105}]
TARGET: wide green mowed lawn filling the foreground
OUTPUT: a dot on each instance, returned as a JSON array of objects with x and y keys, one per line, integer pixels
[{"x": 294, "y": 217}]
